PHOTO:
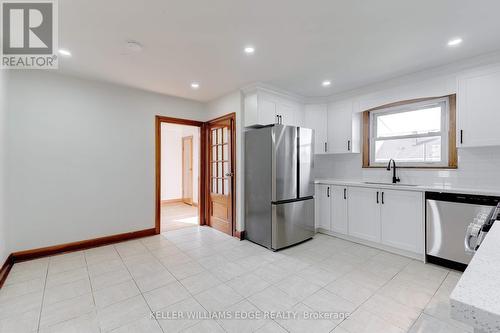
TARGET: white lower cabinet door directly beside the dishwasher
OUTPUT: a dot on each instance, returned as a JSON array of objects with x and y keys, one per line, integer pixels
[{"x": 401, "y": 219}]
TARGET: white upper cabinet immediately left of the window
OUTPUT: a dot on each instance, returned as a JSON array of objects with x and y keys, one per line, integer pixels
[{"x": 343, "y": 128}]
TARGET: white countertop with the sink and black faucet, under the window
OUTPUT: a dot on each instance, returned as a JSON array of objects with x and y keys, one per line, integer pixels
[{"x": 419, "y": 188}]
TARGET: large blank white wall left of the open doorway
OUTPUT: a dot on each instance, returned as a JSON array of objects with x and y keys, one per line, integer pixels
[{"x": 81, "y": 160}]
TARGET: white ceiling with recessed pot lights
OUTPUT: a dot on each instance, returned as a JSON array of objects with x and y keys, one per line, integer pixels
[{"x": 298, "y": 43}]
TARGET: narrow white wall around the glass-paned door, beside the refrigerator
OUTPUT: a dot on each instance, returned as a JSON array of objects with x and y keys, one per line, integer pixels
[{"x": 228, "y": 104}]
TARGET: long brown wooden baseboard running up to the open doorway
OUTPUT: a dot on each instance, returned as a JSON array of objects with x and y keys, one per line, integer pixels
[{"x": 80, "y": 245}]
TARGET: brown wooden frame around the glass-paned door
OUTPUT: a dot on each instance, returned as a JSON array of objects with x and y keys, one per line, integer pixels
[{"x": 206, "y": 192}]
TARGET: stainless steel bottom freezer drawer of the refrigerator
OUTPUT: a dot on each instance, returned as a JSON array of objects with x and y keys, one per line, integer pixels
[{"x": 292, "y": 223}]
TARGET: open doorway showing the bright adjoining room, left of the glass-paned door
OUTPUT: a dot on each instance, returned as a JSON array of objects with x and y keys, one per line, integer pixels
[{"x": 178, "y": 176}]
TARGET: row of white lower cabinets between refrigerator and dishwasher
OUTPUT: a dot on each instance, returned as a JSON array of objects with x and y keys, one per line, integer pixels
[{"x": 391, "y": 218}]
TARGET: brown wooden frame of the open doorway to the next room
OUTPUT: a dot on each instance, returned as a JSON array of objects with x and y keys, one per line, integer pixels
[{"x": 202, "y": 199}]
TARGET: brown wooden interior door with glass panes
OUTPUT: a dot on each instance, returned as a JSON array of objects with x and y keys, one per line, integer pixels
[{"x": 221, "y": 175}]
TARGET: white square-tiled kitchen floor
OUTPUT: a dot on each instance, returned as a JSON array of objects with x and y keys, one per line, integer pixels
[{"x": 115, "y": 288}]
